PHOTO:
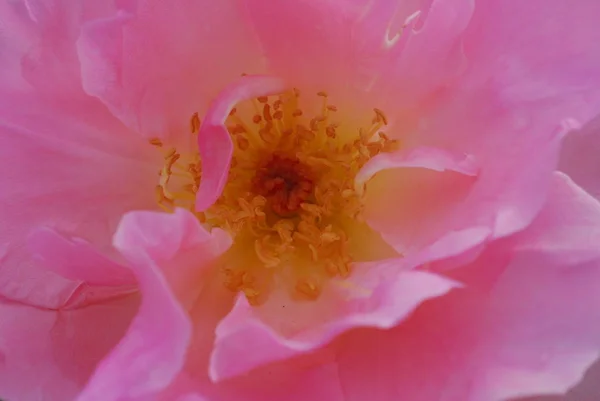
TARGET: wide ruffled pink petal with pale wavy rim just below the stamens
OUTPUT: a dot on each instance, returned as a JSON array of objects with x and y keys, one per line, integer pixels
[{"x": 378, "y": 294}]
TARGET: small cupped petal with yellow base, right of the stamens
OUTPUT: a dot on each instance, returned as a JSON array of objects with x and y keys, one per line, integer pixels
[{"x": 412, "y": 194}]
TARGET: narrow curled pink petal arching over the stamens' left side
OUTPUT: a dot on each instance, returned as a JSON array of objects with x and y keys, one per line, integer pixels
[{"x": 214, "y": 140}]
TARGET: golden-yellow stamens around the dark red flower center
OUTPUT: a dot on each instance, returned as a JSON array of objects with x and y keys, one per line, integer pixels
[{"x": 290, "y": 199}]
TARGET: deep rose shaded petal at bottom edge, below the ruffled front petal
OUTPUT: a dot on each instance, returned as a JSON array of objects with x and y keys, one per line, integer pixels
[{"x": 423, "y": 359}]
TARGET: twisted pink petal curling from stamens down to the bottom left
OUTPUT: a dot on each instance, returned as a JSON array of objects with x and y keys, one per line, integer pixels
[{"x": 169, "y": 254}]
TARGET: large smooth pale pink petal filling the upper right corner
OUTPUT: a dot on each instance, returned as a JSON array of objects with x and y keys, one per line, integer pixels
[{"x": 514, "y": 103}]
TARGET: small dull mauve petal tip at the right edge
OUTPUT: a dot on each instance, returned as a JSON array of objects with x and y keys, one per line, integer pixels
[{"x": 579, "y": 157}]
